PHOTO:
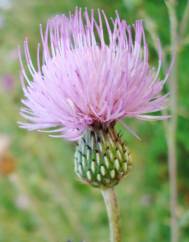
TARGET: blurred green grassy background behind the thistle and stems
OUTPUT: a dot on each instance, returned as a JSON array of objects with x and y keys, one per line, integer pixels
[{"x": 41, "y": 199}]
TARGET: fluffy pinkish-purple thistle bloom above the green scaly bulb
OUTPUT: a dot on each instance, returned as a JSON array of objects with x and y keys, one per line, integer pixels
[{"x": 83, "y": 79}]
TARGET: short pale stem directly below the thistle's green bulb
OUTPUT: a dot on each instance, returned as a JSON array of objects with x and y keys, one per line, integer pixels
[{"x": 113, "y": 214}]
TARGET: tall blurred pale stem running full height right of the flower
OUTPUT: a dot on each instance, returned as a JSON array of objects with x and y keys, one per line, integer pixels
[{"x": 172, "y": 124}]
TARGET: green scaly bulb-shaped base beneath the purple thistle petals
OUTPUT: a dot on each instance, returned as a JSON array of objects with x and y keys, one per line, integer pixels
[{"x": 102, "y": 158}]
